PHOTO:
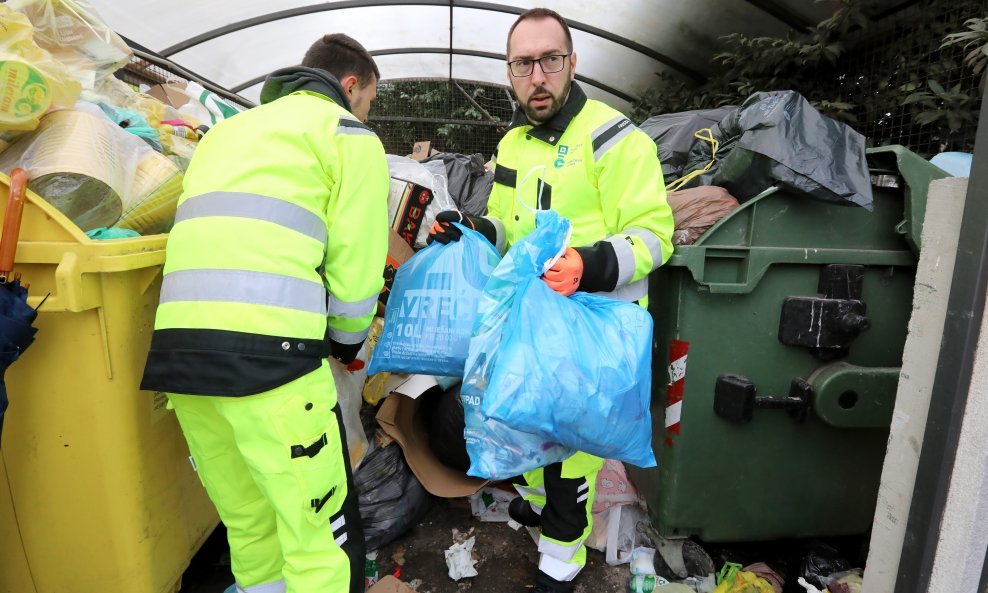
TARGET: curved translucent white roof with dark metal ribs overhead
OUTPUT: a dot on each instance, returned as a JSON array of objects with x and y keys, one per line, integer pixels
[{"x": 621, "y": 44}]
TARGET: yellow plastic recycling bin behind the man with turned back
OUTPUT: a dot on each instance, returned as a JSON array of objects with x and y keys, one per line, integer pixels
[{"x": 97, "y": 493}]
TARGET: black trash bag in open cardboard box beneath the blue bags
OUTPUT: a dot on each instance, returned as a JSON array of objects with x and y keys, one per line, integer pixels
[{"x": 442, "y": 417}]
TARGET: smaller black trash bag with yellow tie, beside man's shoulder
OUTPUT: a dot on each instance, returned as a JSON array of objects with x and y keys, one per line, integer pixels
[{"x": 673, "y": 134}]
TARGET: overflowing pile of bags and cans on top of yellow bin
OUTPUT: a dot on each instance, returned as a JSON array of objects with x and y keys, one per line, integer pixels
[{"x": 109, "y": 156}]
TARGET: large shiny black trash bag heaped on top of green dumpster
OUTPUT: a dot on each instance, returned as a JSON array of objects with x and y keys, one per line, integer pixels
[{"x": 779, "y": 138}]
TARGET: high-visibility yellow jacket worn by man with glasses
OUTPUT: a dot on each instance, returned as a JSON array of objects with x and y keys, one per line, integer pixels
[{"x": 601, "y": 173}]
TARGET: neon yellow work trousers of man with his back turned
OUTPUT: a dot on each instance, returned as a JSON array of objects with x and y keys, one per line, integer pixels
[{"x": 276, "y": 466}]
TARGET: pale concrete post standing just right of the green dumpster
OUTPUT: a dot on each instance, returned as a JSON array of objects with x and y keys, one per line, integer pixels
[{"x": 934, "y": 276}]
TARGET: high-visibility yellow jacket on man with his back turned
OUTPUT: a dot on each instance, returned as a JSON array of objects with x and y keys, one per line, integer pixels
[{"x": 278, "y": 247}]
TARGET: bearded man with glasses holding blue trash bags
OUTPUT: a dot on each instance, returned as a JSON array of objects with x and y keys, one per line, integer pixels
[{"x": 601, "y": 173}]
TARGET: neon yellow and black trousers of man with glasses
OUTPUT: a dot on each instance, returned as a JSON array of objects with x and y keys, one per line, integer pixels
[{"x": 563, "y": 494}]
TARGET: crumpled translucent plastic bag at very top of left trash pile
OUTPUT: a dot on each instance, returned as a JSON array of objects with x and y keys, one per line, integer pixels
[{"x": 76, "y": 35}]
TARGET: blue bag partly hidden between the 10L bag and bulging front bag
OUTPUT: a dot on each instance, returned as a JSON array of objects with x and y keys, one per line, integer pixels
[{"x": 498, "y": 451}]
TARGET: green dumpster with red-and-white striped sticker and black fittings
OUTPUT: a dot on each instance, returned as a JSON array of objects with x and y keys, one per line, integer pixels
[{"x": 778, "y": 342}]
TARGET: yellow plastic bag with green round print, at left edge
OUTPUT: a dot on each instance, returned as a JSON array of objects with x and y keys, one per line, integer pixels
[{"x": 31, "y": 81}]
